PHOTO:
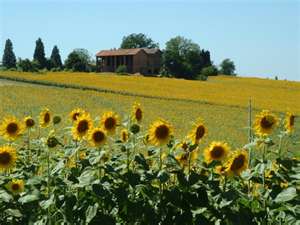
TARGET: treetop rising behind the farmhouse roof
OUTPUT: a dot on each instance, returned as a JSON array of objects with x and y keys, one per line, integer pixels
[{"x": 138, "y": 41}]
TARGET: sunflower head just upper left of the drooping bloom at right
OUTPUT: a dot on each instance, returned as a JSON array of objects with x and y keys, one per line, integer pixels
[{"x": 217, "y": 151}]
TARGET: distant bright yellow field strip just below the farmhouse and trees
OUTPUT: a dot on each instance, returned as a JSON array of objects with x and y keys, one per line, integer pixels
[{"x": 221, "y": 90}]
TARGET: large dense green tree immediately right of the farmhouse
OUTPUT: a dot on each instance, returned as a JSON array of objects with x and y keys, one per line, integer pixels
[{"x": 184, "y": 59}]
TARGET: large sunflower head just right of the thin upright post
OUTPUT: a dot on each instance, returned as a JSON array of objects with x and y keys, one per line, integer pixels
[{"x": 264, "y": 123}]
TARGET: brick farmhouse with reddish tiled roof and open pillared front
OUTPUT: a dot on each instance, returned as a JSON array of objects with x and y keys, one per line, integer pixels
[{"x": 137, "y": 60}]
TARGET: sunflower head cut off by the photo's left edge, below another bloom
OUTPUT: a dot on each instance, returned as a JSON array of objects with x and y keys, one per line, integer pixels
[{"x": 8, "y": 157}]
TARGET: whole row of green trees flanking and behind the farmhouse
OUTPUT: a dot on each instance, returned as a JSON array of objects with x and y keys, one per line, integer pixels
[{"x": 181, "y": 58}]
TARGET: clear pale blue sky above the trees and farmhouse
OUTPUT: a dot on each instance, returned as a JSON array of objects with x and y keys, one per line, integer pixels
[{"x": 262, "y": 37}]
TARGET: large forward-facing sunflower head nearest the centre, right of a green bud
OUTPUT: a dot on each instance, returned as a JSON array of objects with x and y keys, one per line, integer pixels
[{"x": 160, "y": 132}]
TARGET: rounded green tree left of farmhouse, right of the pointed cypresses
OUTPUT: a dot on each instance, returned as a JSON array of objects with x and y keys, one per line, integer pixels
[{"x": 79, "y": 60}]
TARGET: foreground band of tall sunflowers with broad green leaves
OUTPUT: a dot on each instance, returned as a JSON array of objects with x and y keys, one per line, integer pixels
[{"x": 112, "y": 169}]
